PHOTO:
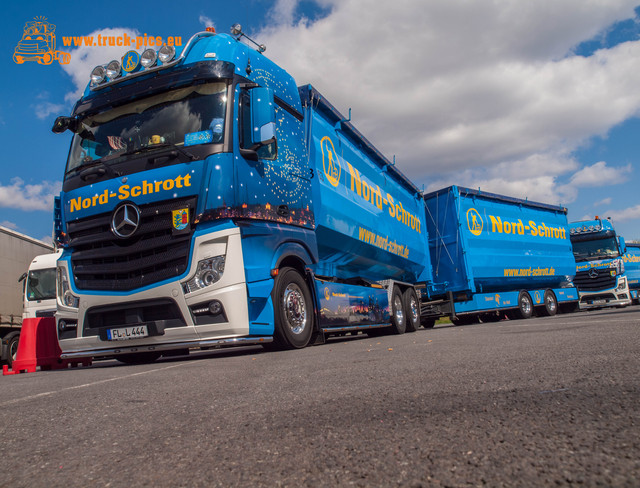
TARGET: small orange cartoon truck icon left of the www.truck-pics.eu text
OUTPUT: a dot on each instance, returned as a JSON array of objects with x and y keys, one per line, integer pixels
[{"x": 38, "y": 43}]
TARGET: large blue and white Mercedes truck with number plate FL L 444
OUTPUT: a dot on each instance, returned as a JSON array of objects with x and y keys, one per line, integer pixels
[{"x": 208, "y": 201}]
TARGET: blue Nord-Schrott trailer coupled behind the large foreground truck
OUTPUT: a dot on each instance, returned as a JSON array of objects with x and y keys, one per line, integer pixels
[{"x": 494, "y": 255}]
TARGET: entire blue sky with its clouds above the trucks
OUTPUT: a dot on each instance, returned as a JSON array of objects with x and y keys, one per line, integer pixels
[{"x": 538, "y": 101}]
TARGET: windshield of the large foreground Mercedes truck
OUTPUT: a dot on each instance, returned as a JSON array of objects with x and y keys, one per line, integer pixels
[{"x": 194, "y": 113}]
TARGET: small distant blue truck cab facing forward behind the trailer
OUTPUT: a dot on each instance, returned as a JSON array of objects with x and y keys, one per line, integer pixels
[{"x": 600, "y": 270}]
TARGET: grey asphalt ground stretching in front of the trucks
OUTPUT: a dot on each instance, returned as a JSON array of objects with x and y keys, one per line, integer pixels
[{"x": 541, "y": 402}]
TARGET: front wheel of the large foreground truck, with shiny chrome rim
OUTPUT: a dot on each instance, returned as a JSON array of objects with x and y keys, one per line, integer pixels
[{"x": 293, "y": 310}]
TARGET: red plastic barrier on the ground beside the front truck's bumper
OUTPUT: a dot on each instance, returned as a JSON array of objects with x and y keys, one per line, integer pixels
[{"x": 39, "y": 346}]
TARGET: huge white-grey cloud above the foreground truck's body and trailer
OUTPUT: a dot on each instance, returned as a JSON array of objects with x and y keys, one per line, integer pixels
[{"x": 478, "y": 93}]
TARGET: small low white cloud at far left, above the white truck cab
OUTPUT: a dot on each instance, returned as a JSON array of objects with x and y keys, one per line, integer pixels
[{"x": 22, "y": 196}]
